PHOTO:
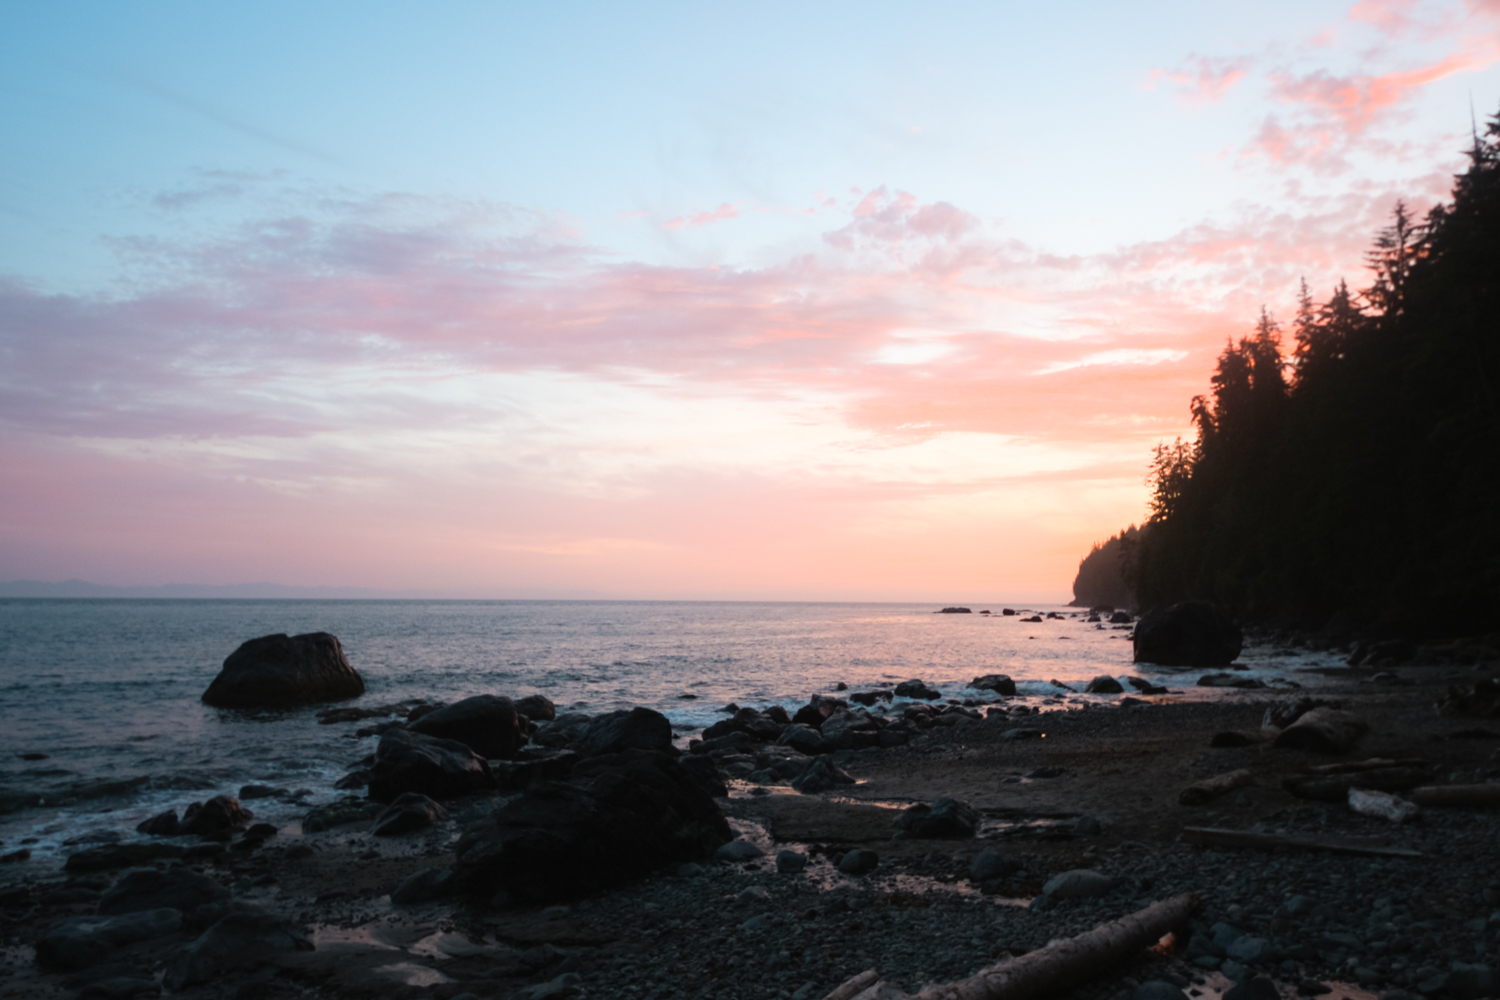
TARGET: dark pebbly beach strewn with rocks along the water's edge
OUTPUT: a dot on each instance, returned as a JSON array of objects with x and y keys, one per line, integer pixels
[{"x": 824, "y": 882}]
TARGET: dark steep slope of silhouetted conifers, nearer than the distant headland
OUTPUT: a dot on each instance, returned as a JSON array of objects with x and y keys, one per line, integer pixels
[{"x": 1360, "y": 472}]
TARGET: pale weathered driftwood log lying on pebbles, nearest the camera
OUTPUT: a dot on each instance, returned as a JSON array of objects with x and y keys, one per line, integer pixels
[{"x": 1046, "y": 971}]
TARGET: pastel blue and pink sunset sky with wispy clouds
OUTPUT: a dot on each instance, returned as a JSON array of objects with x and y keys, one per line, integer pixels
[{"x": 704, "y": 302}]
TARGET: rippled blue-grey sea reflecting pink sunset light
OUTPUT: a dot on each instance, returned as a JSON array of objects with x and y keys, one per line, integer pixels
[{"x": 109, "y": 689}]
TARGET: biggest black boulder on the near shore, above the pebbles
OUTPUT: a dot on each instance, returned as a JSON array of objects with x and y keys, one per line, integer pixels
[{"x": 625, "y": 816}]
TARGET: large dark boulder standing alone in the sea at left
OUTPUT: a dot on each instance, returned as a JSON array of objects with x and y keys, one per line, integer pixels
[{"x": 280, "y": 671}]
